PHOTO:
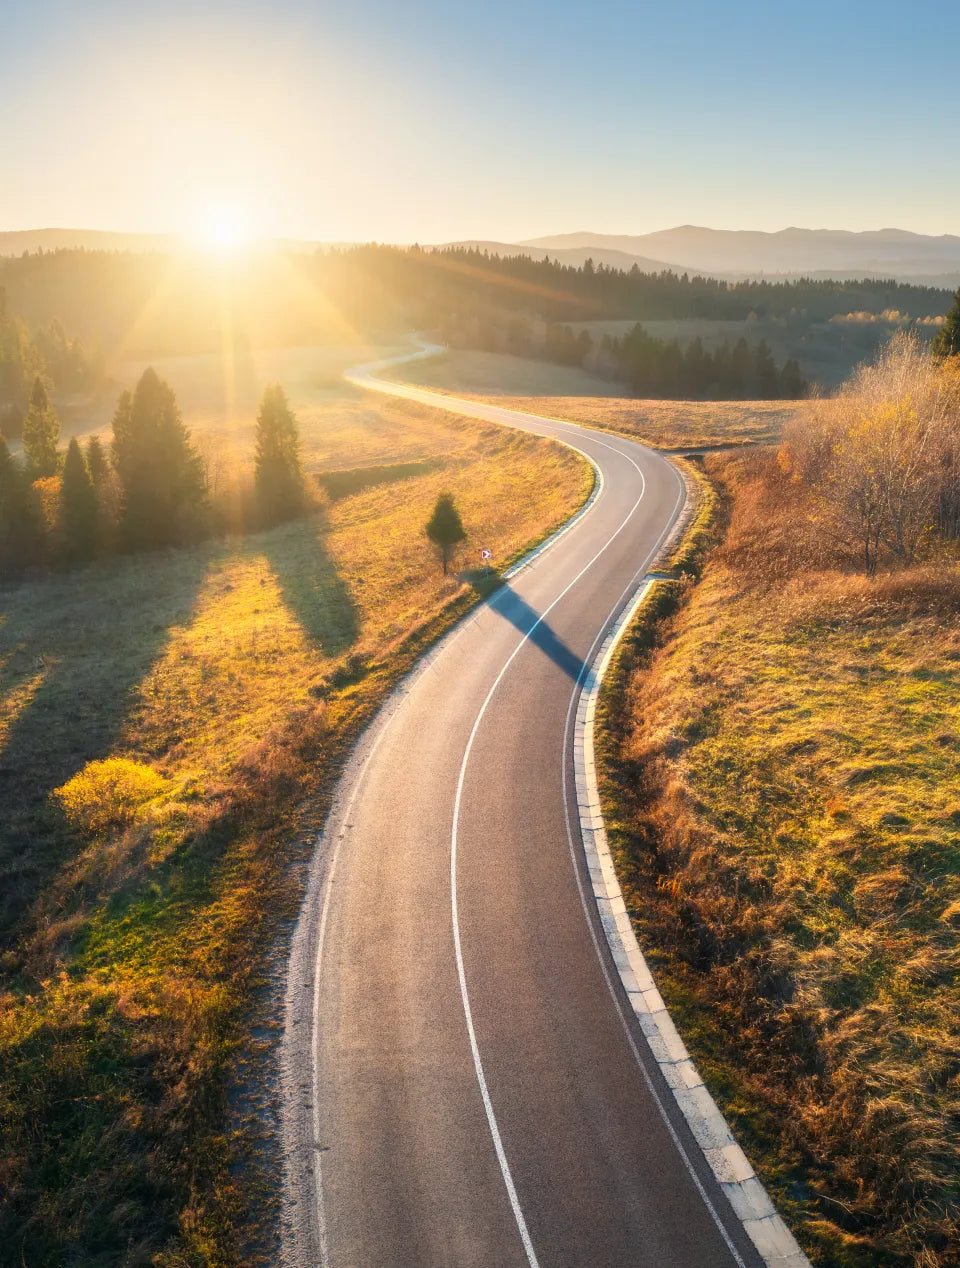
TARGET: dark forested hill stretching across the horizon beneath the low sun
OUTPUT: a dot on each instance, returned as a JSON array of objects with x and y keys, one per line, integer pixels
[{"x": 153, "y": 304}]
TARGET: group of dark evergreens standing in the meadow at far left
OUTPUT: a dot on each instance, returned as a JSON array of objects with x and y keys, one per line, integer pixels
[{"x": 146, "y": 490}]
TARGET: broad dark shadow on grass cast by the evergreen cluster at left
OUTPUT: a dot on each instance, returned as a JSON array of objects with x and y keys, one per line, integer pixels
[{"x": 63, "y": 632}]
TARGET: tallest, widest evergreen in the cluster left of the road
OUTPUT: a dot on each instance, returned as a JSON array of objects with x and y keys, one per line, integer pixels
[{"x": 162, "y": 477}]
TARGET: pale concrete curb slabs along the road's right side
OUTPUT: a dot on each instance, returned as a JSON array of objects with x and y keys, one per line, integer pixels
[{"x": 729, "y": 1163}]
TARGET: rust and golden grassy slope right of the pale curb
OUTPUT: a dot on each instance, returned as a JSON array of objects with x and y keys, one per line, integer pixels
[{"x": 783, "y": 786}]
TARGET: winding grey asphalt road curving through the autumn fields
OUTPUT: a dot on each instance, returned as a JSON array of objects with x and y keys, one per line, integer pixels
[{"x": 461, "y": 1063}]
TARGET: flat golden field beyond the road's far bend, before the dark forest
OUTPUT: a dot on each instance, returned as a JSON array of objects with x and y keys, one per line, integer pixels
[{"x": 561, "y": 392}]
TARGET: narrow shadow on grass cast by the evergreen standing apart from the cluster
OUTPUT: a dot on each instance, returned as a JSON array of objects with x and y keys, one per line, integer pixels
[{"x": 311, "y": 585}]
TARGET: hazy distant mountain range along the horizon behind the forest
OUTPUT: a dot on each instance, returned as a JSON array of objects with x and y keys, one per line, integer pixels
[{"x": 734, "y": 254}]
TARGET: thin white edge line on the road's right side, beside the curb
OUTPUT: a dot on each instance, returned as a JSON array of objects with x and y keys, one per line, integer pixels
[{"x": 585, "y": 906}]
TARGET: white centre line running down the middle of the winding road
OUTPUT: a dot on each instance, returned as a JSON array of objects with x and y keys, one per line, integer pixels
[{"x": 455, "y": 909}]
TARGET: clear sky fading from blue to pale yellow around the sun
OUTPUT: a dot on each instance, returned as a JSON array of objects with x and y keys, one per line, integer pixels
[{"x": 437, "y": 120}]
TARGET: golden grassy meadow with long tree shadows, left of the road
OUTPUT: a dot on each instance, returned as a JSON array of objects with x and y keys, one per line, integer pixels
[{"x": 171, "y": 728}]
